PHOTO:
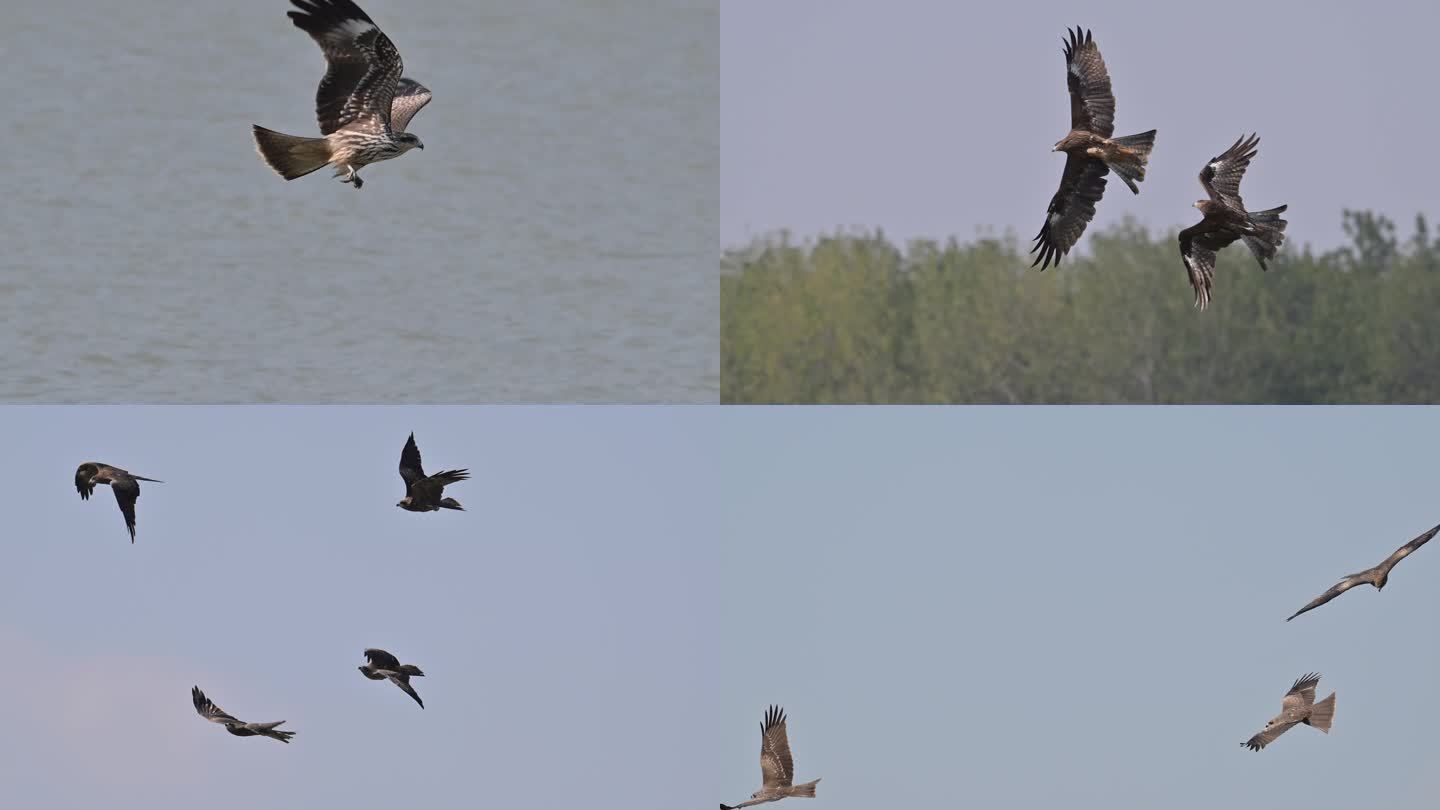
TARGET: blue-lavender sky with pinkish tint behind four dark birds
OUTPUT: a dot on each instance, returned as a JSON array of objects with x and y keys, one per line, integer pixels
[{"x": 564, "y": 622}]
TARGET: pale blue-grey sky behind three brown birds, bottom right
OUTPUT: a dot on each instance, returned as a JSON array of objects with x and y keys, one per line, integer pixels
[{"x": 1079, "y": 607}]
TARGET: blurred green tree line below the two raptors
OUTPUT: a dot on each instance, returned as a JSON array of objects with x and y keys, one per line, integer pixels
[{"x": 853, "y": 318}]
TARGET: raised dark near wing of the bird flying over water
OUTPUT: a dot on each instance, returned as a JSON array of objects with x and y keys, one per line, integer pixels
[{"x": 362, "y": 66}]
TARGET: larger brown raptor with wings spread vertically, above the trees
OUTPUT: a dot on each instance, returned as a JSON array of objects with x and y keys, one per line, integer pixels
[{"x": 1091, "y": 152}]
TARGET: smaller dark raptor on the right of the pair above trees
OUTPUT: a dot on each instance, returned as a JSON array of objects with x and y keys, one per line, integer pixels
[{"x": 1226, "y": 220}]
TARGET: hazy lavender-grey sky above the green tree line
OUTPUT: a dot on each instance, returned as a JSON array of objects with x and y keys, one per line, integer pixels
[{"x": 935, "y": 119}]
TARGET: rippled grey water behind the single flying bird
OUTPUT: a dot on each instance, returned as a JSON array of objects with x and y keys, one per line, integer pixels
[{"x": 555, "y": 240}]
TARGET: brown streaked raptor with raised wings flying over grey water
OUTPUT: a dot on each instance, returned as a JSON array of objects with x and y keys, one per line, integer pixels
[{"x": 364, "y": 104}]
